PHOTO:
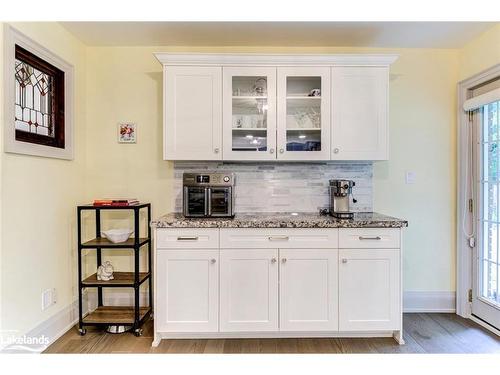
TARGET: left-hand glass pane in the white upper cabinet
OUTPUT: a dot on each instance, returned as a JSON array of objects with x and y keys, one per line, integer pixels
[{"x": 250, "y": 104}]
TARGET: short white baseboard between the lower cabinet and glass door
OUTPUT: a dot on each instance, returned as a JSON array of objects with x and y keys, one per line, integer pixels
[{"x": 437, "y": 302}]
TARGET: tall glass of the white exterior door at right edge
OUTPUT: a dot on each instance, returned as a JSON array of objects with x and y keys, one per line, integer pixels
[{"x": 489, "y": 252}]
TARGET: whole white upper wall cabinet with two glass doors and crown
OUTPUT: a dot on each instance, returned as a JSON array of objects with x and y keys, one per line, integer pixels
[{"x": 275, "y": 107}]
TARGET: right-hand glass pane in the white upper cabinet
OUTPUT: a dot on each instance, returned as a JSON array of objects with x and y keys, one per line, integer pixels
[{"x": 303, "y": 114}]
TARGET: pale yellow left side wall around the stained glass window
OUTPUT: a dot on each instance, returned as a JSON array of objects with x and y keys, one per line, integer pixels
[{"x": 38, "y": 197}]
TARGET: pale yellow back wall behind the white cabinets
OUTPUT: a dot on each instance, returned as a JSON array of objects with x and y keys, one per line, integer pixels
[{"x": 124, "y": 84}]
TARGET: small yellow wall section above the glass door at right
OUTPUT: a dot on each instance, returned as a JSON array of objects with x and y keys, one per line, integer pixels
[{"x": 481, "y": 53}]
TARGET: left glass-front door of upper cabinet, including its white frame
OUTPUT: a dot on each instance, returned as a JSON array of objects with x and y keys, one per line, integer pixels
[{"x": 249, "y": 108}]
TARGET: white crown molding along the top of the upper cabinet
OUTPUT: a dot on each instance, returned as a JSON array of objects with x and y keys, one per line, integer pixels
[{"x": 244, "y": 59}]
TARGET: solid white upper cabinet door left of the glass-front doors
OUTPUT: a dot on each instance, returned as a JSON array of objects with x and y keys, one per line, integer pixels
[{"x": 193, "y": 113}]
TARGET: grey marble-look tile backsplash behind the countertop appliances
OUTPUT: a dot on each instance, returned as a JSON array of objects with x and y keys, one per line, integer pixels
[{"x": 285, "y": 187}]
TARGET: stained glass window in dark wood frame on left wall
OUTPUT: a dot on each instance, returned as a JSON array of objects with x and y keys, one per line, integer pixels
[{"x": 39, "y": 101}]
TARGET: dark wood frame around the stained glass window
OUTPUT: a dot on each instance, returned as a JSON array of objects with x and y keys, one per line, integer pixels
[{"x": 58, "y": 101}]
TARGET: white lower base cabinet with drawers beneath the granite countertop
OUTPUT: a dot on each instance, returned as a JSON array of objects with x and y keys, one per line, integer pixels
[{"x": 205, "y": 287}]
